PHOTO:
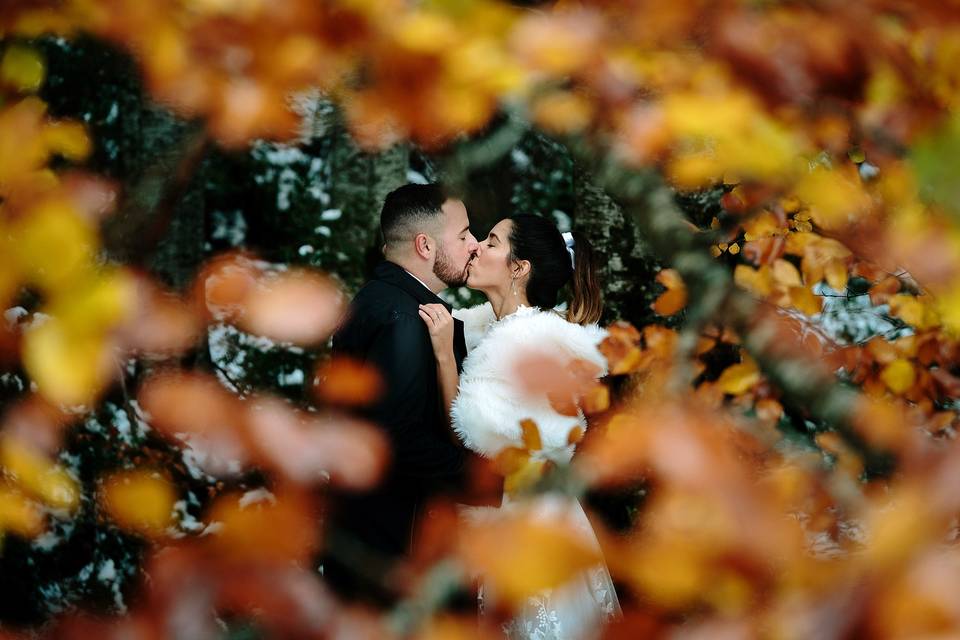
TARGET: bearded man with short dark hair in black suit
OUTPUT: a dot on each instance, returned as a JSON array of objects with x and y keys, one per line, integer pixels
[{"x": 428, "y": 245}]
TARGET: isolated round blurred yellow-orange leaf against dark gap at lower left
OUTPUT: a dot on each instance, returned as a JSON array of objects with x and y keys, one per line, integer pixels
[{"x": 140, "y": 501}]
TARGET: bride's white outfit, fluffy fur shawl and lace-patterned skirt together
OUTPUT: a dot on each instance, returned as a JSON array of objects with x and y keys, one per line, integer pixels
[{"x": 486, "y": 416}]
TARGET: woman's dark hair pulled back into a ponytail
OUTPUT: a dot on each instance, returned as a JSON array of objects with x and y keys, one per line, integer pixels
[{"x": 538, "y": 240}]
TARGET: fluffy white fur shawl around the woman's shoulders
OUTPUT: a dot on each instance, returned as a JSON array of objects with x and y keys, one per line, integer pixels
[{"x": 489, "y": 405}]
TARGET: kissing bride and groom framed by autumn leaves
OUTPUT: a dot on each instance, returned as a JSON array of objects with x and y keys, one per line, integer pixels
[{"x": 450, "y": 387}]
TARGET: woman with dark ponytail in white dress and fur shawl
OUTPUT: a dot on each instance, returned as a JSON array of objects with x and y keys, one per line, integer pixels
[{"x": 521, "y": 267}]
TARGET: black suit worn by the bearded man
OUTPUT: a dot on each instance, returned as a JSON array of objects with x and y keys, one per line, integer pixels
[{"x": 384, "y": 329}]
